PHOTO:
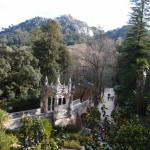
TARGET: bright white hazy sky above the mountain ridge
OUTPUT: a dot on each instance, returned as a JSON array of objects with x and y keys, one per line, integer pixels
[{"x": 109, "y": 14}]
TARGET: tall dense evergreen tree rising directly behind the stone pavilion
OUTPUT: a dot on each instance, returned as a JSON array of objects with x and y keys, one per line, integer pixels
[{"x": 48, "y": 49}]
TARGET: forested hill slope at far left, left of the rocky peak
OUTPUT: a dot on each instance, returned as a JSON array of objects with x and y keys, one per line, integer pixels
[{"x": 19, "y": 35}]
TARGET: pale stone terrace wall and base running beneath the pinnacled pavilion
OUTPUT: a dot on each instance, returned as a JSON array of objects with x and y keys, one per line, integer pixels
[{"x": 60, "y": 117}]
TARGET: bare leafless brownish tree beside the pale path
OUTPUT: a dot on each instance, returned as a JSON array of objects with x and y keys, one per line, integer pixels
[{"x": 97, "y": 65}]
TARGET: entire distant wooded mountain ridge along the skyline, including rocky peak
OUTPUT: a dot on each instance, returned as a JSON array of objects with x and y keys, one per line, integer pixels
[{"x": 74, "y": 31}]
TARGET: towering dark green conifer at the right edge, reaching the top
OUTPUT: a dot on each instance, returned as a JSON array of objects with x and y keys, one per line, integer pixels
[{"x": 133, "y": 63}]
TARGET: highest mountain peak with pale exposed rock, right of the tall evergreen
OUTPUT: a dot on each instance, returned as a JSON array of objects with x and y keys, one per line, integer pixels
[{"x": 73, "y": 30}]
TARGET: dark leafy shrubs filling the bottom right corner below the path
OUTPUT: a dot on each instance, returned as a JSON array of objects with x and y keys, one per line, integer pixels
[{"x": 121, "y": 134}]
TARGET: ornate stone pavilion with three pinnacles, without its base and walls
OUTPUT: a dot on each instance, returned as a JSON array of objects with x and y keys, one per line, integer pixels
[{"x": 56, "y": 97}]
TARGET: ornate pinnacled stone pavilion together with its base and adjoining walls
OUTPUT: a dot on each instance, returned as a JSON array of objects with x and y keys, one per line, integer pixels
[{"x": 57, "y": 105}]
